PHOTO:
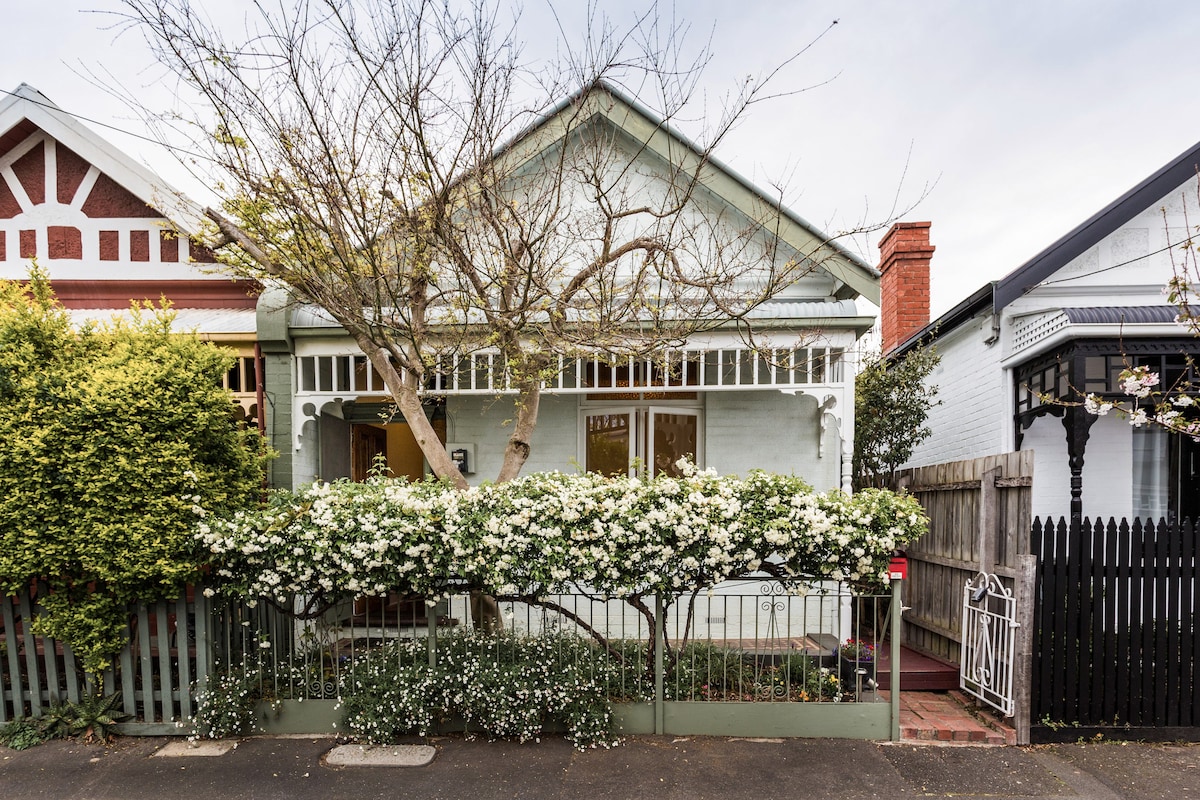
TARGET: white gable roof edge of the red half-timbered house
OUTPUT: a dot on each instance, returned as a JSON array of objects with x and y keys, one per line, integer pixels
[{"x": 26, "y": 109}]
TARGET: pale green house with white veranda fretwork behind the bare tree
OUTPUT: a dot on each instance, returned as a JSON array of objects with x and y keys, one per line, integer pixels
[{"x": 787, "y": 406}]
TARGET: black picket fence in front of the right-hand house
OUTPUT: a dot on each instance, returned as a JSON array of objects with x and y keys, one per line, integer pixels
[{"x": 1115, "y": 649}]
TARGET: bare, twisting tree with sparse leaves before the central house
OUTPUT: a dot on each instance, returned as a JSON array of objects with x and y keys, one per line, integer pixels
[{"x": 383, "y": 161}]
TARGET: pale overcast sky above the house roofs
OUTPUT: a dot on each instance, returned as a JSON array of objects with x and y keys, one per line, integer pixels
[{"x": 1007, "y": 123}]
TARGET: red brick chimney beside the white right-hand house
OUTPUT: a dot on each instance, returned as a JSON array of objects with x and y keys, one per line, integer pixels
[{"x": 904, "y": 261}]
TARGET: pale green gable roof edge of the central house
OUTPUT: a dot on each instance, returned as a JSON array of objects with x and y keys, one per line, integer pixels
[{"x": 656, "y": 135}]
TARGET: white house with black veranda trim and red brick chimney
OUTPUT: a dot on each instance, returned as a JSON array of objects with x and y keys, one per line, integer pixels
[{"x": 1065, "y": 323}]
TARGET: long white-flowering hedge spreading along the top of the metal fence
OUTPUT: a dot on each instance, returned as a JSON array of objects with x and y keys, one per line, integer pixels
[{"x": 553, "y": 532}]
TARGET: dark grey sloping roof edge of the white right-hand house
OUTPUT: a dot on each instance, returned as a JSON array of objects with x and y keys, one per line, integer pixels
[{"x": 1097, "y": 227}]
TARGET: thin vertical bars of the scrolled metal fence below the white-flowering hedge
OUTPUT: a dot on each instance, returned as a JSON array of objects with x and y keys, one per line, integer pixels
[{"x": 734, "y": 643}]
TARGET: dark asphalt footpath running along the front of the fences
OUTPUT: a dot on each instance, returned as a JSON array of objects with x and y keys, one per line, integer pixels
[{"x": 662, "y": 768}]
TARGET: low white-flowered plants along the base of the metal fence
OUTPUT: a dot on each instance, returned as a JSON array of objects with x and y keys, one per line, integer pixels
[{"x": 512, "y": 687}]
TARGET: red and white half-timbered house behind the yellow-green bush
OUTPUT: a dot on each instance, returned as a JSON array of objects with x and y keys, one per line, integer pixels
[{"x": 110, "y": 232}]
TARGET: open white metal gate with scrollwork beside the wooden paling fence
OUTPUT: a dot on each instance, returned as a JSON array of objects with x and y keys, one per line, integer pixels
[{"x": 989, "y": 642}]
